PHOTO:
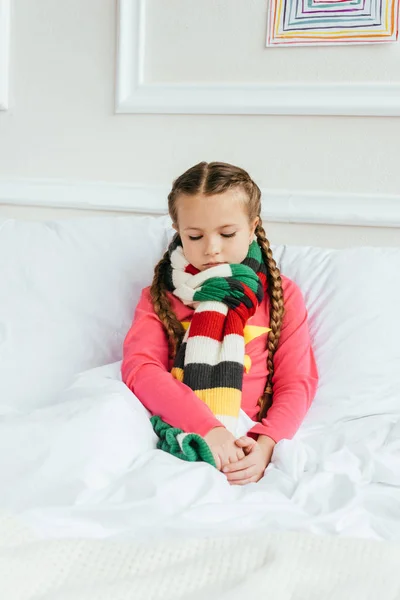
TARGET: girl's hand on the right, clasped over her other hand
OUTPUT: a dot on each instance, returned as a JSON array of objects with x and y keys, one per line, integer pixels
[{"x": 251, "y": 468}]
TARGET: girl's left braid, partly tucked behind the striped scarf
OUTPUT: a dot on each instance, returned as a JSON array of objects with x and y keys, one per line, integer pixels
[{"x": 162, "y": 306}]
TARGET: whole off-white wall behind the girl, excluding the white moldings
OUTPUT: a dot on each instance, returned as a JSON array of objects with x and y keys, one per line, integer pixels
[{"x": 61, "y": 122}]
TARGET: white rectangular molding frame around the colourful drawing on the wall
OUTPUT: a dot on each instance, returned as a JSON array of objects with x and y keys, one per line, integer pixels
[{"x": 133, "y": 95}]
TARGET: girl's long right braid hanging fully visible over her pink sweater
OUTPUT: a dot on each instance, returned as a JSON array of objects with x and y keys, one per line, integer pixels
[{"x": 275, "y": 293}]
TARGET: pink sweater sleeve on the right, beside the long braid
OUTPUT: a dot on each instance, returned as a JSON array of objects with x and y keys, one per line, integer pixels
[{"x": 295, "y": 376}]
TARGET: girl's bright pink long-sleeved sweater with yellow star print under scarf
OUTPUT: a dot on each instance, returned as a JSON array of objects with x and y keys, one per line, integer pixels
[{"x": 146, "y": 369}]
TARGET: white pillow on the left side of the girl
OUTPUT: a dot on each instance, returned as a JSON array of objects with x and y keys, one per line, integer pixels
[{"x": 67, "y": 298}]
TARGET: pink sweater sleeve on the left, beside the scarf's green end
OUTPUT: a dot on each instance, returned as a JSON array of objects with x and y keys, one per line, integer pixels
[{"x": 145, "y": 371}]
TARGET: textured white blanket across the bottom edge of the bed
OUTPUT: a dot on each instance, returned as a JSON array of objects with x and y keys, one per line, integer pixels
[{"x": 278, "y": 566}]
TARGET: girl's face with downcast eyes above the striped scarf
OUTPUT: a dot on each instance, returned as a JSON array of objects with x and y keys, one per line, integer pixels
[{"x": 214, "y": 229}]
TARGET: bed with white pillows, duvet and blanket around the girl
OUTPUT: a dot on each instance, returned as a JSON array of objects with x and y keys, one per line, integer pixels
[{"x": 90, "y": 509}]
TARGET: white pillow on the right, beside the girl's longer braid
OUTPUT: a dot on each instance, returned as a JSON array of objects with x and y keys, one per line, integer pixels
[{"x": 353, "y": 299}]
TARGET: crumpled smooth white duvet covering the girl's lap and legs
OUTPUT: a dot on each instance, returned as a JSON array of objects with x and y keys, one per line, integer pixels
[{"x": 87, "y": 467}]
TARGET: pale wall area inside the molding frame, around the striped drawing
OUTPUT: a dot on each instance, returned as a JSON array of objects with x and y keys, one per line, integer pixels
[{"x": 223, "y": 40}]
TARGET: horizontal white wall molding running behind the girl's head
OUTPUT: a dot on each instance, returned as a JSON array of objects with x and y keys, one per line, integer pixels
[{"x": 285, "y": 206}]
